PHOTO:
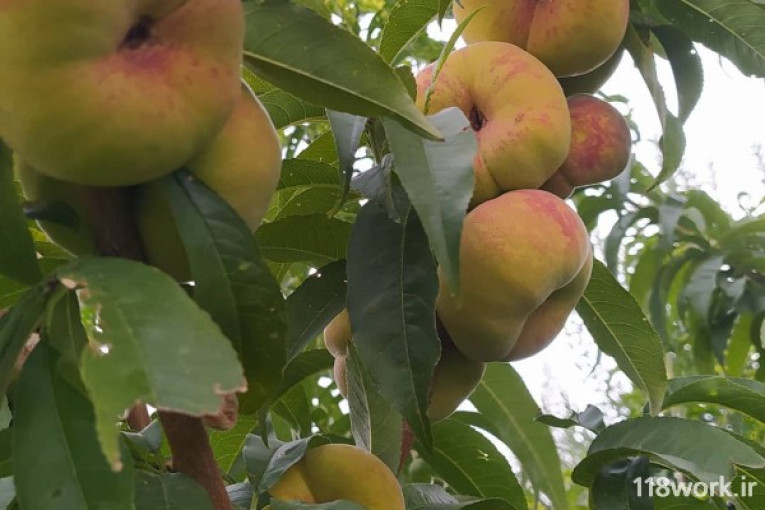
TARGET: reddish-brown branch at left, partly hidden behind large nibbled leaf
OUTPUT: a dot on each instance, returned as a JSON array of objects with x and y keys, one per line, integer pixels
[{"x": 110, "y": 210}]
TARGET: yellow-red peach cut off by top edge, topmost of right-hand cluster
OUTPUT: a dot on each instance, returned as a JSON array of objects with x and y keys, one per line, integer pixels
[{"x": 571, "y": 37}]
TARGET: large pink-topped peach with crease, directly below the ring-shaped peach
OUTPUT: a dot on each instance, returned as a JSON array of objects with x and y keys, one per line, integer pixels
[{"x": 524, "y": 263}]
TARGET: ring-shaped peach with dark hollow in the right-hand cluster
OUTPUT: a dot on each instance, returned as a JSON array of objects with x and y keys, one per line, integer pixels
[{"x": 516, "y": 108}]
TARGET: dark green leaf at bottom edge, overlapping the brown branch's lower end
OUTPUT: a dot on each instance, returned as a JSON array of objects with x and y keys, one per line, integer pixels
[{"x": 169, "y": 491}]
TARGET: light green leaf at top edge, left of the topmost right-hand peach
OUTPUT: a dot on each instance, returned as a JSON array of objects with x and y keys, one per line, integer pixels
[{"x": 407, "y": 19}]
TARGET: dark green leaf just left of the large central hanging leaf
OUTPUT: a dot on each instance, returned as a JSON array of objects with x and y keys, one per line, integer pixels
[{"x": 314, "y": 304}]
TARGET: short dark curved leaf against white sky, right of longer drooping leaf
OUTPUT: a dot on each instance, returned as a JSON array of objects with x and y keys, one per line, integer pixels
[{"x": 686, "y": 68}]
